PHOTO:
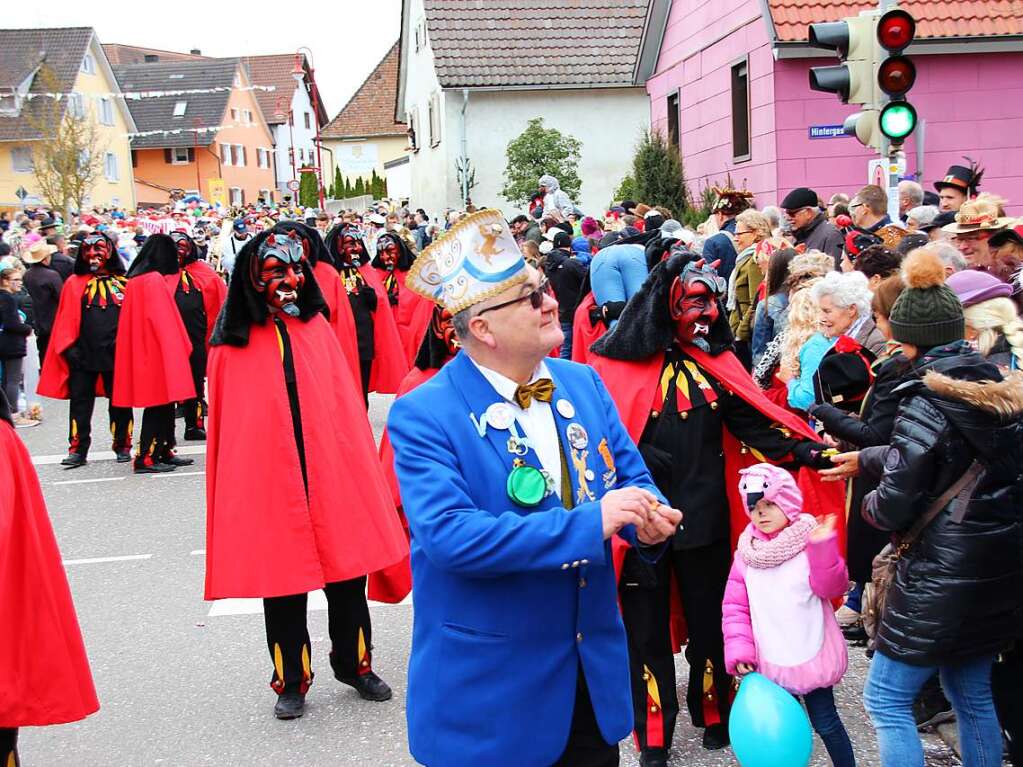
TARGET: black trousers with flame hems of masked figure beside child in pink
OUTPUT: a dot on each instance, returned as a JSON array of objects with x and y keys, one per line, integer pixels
[{"x": 701, "y": 575}]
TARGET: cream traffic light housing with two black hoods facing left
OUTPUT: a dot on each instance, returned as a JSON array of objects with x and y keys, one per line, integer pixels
[{"x": 853, "y": 39}]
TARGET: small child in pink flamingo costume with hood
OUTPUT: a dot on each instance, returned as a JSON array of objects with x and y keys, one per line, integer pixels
[{"x": 777, "y": 618}]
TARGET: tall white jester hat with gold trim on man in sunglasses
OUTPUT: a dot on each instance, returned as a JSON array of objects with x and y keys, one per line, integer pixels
[{"x": 478, "y": 258}]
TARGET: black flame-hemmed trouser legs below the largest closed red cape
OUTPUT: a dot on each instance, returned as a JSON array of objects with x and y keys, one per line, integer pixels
[{"x": 288, "y": 636}]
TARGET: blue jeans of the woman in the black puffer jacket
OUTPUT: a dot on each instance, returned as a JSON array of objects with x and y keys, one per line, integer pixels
[{"x": 893, "y": 687}]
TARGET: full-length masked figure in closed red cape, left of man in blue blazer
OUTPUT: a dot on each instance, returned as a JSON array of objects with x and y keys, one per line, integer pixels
[{"x": 310, "y": 509}]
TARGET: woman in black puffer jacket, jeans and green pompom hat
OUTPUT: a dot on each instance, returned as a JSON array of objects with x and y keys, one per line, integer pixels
[{"x": 955, "y": 602}]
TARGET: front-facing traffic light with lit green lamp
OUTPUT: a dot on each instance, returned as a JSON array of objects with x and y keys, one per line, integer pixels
[{"x": 897, "y": 75}]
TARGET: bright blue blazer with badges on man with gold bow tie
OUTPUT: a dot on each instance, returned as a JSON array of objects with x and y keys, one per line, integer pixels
[{"x": 510, "y": 602}]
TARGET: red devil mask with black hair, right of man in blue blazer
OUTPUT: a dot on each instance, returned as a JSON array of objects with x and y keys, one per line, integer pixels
[{"x": 678, "y": 304}]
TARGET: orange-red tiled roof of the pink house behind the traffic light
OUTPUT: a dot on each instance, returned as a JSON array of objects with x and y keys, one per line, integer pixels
[{"x": 935, "y": 20}]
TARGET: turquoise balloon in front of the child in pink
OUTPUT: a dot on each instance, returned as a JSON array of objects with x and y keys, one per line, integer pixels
[{"x": 769, "y": 727}]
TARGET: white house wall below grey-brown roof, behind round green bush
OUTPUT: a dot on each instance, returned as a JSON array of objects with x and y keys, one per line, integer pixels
[{"x": 608, "y": 122}]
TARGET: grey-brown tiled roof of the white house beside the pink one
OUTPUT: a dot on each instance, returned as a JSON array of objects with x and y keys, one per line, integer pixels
[{"x": 528, "y": 43}]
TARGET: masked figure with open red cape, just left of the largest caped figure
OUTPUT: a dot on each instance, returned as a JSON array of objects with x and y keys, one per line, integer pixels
[{"x": 200, "y": 297}]
